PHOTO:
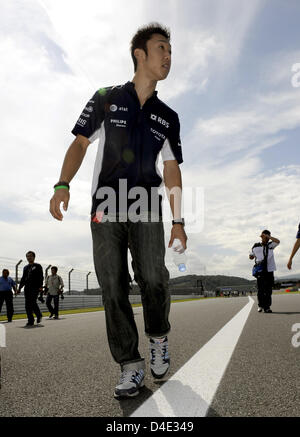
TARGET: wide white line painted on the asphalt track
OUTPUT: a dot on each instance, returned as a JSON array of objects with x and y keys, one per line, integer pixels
[{"x": 190, "y": 391}]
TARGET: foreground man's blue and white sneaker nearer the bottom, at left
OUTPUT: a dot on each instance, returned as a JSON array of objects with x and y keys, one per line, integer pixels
[{"x": 131, "y": 380}]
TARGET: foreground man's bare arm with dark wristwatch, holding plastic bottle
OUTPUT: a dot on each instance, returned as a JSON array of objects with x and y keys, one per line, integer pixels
[{"x": 173, "y": 183}]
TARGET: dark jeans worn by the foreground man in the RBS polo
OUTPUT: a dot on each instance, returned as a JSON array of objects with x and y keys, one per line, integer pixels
[{"x": 147, "y": 247}]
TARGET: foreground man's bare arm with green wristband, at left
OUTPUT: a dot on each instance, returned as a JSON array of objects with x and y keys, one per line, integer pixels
[{"x": 71, "y": 164}]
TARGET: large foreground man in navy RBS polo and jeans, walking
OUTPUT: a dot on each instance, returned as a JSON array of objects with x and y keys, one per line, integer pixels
[{"x": 133, "y": 126}]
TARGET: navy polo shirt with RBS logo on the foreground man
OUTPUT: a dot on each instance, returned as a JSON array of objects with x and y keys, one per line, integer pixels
[{"x": 130, "y": 139}]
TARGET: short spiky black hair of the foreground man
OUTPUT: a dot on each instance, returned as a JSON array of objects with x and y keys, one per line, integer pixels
[{"x": 143, "y": 34}]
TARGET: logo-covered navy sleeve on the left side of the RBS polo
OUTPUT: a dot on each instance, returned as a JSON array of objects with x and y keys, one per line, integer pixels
[{"x": 89, "y": 121}]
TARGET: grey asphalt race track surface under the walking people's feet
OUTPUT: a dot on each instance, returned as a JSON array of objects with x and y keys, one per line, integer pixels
[{"x": 64, "y": 367}]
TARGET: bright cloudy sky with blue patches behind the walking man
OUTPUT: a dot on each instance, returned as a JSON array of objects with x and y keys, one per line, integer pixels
[{"x": 231, "y": 83}]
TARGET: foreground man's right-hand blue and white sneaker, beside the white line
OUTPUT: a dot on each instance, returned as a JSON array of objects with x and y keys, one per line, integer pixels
[{"x": 159, "y": 357}]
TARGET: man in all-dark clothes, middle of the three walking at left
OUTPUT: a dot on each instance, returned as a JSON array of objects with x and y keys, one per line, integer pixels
[{"x": 32, "y": 280}]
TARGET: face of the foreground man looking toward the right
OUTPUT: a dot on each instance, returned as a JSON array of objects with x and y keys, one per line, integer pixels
[{"x": 156, "y": 65}]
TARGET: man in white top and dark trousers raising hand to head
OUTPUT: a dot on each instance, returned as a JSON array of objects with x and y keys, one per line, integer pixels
[{"x": 263, "y": 254}]
